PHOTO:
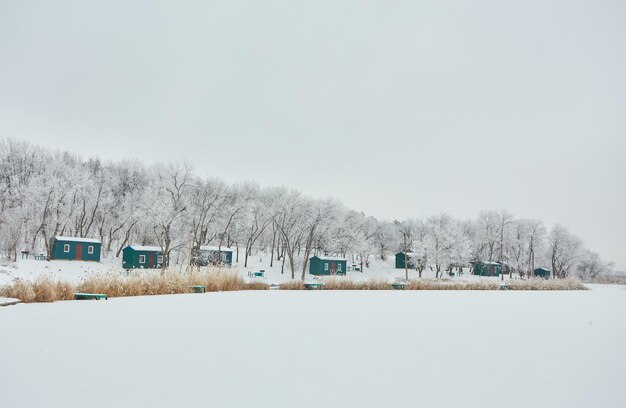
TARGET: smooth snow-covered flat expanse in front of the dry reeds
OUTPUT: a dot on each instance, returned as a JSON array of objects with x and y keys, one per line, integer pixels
[{"x": 319, "y": 349}]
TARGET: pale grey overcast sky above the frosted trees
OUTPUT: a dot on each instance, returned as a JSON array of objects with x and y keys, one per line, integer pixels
[{"x": 398, "y": 108}]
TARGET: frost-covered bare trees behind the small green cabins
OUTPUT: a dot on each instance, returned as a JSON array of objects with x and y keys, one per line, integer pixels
[{"x": 45, "y": 193}]
